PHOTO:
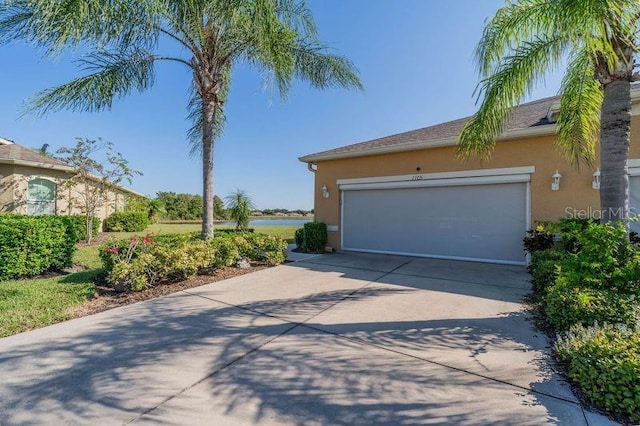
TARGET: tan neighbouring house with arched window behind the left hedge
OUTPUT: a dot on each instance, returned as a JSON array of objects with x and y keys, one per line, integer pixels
[{"x": 33, "y": 184}]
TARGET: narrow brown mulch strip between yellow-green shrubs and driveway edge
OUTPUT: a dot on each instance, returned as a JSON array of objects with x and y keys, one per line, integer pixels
[{"x": 107, "y": 298}]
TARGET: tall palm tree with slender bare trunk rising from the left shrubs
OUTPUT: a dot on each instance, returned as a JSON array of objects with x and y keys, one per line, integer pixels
[{"x": 278, "y": 37}]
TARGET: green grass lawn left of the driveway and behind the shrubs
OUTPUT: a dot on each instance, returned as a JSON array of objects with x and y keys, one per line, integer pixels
[{"x": 34, "y": 303}]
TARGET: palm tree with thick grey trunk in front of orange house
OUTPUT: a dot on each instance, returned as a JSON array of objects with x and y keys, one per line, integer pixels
[{"x": 600, "y": 39}]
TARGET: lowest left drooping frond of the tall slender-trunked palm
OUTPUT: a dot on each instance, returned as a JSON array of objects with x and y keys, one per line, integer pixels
[{"x": 112, "y": 75}]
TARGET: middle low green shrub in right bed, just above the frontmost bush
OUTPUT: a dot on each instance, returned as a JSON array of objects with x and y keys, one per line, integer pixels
[{"x": 566, "y": 305}]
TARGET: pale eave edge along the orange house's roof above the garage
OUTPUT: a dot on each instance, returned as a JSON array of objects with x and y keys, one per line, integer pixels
[{"x": 529, "y": 132}]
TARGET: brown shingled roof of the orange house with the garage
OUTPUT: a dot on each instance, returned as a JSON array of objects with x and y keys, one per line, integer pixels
[{"x": 531, "y": 119}]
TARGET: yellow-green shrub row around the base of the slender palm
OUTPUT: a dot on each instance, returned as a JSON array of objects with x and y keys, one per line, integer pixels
[{"x": 140, "y": 262}]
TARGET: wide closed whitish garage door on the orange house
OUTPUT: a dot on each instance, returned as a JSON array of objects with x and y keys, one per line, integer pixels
[{"x": 483, "y": 222}]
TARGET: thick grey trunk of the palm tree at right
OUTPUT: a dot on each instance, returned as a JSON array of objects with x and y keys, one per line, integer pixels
[{"x": 615, "y": 128}]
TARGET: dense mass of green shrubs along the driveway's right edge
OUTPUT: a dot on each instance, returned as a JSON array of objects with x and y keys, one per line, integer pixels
[{"x": 589, "y": 292}]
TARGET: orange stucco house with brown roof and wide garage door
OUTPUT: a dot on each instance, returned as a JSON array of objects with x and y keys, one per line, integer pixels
[{"x": 408, "y": 194}]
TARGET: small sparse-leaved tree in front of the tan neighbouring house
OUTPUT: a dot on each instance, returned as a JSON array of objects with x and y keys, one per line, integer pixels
[{"x": 92, "y": 178}]
